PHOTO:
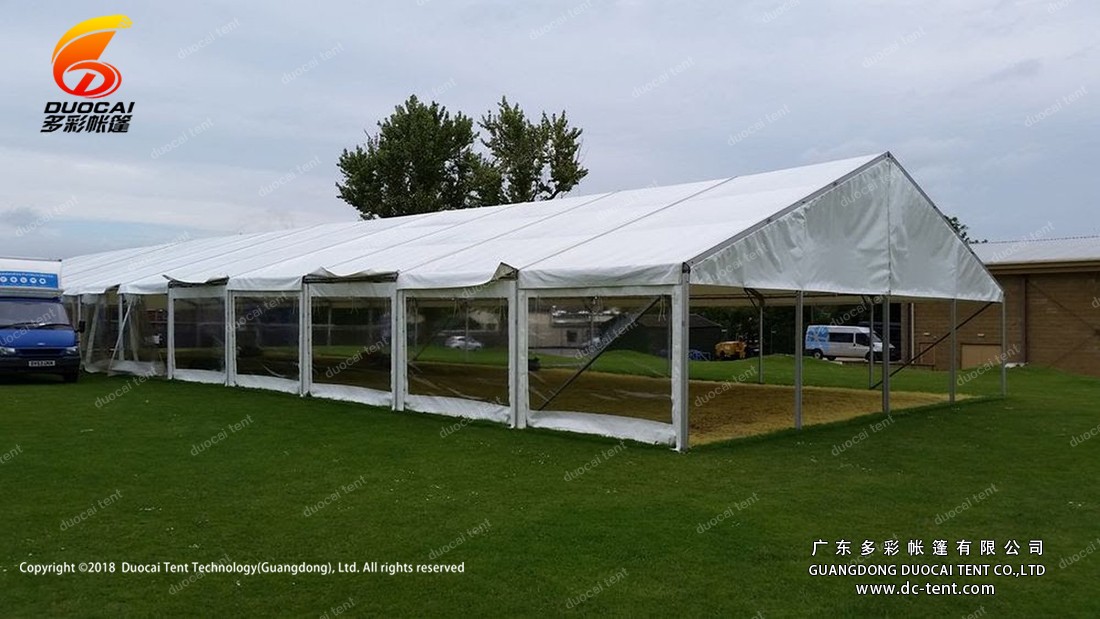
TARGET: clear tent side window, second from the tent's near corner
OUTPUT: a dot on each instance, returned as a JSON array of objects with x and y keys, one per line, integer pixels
[{"x": 459, "y": 349}]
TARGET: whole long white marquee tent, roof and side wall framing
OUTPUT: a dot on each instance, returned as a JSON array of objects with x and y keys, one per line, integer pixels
[{"x": 844, "y": 230}]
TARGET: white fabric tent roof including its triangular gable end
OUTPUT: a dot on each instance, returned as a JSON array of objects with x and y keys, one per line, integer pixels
[{"x": 853, "y": 227}]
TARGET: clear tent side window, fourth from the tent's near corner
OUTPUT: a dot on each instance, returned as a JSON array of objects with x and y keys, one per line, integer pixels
[{"x": 267, "y": 330}]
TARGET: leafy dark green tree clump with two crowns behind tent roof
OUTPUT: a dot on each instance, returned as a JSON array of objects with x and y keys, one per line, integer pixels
[{"x": 424, "y": 160}]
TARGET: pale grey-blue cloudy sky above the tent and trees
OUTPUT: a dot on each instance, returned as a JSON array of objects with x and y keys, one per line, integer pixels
[{"x": 243, "y": 108}]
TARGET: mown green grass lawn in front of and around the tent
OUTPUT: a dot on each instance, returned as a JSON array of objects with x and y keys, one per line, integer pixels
[{"x": 626, "y": 532}]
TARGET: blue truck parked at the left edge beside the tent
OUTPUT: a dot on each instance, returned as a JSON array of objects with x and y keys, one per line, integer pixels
[{"x": 37, "y": 336}]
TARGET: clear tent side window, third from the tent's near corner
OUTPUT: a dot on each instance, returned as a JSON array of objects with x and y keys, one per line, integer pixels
[{"x": 351, "y": 341}]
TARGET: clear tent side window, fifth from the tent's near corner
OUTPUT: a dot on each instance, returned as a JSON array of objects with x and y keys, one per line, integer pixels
[{"x": 201, "y": 334}]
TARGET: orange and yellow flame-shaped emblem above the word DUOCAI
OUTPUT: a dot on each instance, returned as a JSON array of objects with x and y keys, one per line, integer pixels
[{"x": 78, "y": 57}]
